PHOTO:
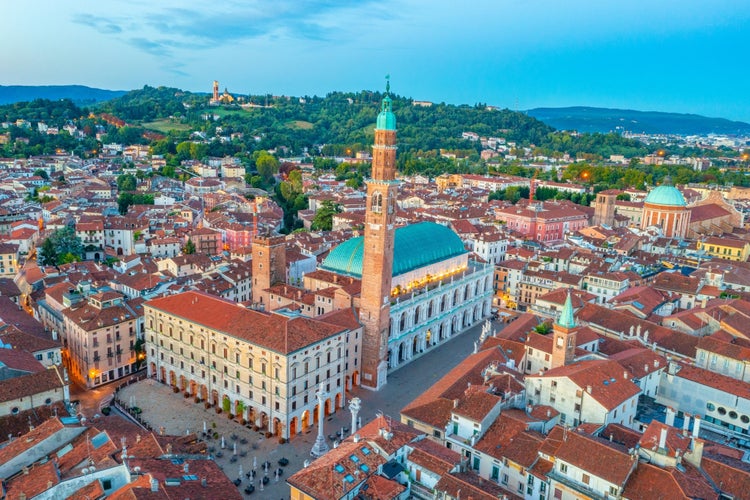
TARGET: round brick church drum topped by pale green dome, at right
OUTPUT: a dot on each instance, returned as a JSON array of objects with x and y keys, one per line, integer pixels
[{"x": 665, "y": 207}]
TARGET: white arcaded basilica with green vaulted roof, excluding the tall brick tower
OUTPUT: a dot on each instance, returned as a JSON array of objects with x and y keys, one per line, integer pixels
[{"x": 436, "y": 290}]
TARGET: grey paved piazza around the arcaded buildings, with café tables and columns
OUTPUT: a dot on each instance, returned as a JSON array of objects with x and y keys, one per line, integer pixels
[{"x": 179, "y": 415}]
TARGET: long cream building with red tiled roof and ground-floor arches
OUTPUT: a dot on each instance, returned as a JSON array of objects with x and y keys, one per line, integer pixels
[{"x": 259, "y": 366}]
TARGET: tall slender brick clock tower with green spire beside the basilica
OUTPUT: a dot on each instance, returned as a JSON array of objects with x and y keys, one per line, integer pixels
[{"x": 377, "y": 266}]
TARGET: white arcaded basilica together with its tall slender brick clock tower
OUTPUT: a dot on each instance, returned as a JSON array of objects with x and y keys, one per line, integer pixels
[{"x": 418, "y": 285}]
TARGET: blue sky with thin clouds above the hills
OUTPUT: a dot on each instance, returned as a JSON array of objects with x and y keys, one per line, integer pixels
[{"x": 664, "y": 55}]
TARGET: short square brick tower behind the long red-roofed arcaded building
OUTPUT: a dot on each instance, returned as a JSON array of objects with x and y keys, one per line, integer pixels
[{"x": 269, "y": 267}]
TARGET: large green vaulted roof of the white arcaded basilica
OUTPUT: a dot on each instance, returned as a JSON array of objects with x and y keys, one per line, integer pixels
[{"x": 416, "y": 246}]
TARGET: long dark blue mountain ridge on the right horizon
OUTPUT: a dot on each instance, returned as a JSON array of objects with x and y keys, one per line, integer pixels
[{"x": 587, "y": 119}]
